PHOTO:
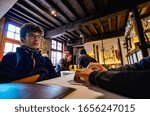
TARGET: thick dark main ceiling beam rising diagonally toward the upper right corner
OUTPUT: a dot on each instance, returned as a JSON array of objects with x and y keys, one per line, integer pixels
[{"x": 104, "y": 14}]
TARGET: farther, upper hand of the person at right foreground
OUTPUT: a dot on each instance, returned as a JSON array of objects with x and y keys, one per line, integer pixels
[{"x": 96, "y": 67}]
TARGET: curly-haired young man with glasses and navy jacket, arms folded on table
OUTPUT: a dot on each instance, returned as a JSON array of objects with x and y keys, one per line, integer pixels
[{"x": 27, "y": 64}]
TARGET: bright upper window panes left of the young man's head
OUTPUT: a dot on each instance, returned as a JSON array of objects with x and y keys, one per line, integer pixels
[{"x": 13, "y": 32}]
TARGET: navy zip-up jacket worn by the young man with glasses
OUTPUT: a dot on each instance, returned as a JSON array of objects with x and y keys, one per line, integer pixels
[{"x": 31, "y": 62}]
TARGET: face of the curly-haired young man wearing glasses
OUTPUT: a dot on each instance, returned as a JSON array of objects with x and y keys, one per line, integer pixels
[{"x": 33, "y": 40}]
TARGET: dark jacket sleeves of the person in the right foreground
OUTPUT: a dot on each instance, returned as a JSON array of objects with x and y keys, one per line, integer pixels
[{"x": 130, "y": 80}]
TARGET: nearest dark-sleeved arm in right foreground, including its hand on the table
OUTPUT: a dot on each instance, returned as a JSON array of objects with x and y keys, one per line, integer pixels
[{"x": 134, "y": 84}]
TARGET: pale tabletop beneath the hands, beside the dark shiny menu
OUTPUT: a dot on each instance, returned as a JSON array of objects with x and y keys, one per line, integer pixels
[{"x": 82, "y": 91}]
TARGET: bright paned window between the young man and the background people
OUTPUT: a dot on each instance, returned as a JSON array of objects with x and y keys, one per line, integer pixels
[{"x": 56, "y": 53}]
